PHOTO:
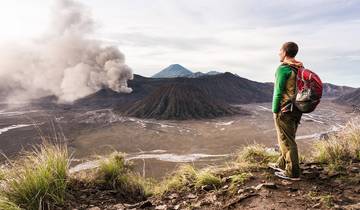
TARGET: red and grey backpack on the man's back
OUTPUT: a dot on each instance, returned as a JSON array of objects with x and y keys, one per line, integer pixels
[{"x": 308, "y": 90}]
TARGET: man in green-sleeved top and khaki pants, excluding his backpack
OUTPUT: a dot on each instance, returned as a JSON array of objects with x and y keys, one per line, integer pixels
[{"x": 286, "y": 115}]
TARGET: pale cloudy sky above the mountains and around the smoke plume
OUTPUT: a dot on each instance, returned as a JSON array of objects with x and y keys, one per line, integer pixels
[{"x": 241, "y": 37}]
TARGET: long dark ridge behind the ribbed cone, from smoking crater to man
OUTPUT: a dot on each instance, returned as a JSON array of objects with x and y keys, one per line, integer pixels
[{"x": 225, "y": 87}]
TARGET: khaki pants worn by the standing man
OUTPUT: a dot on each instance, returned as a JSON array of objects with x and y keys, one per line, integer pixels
[{"x": 286, "y": 125}]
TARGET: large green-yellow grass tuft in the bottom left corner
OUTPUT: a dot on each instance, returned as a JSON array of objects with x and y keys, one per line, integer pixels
[{"x": 39, "y": 179}]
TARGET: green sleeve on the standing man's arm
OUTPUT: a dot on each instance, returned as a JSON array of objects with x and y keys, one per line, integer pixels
[{"x": 282, "y": 74}]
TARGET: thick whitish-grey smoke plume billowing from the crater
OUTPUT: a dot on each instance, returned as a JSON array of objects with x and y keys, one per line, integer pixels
[{"x": 64, "y": 62}]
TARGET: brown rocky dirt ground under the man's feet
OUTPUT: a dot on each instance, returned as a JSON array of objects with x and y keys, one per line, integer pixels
[{"x": 318, "y": 189}]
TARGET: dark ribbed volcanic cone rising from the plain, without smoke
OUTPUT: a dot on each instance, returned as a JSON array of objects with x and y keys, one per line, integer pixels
[{"x": 180, "y": 102}]
